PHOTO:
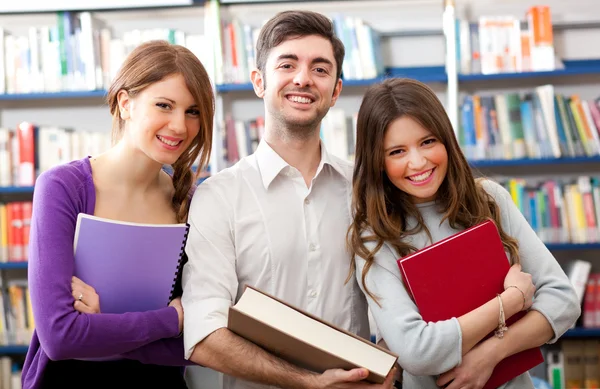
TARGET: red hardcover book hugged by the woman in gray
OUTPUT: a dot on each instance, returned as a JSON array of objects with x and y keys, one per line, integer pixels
[{"x": 458, "y": 274}]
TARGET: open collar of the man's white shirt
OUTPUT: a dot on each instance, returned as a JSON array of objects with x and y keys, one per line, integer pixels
[{"x": 271, "y": 164}]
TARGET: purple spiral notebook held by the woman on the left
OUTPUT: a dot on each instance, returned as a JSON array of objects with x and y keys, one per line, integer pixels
[{"x": 132, "y": 266}]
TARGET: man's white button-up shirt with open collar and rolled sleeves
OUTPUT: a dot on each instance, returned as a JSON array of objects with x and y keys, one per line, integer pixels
[{"x": 257, "y": 223}]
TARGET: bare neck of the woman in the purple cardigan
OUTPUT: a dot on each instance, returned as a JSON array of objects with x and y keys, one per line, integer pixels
[{"x": 130, "y": 168}]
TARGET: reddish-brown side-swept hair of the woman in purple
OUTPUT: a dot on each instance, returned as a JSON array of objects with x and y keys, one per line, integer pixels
[{"x": 152, "y": 62}]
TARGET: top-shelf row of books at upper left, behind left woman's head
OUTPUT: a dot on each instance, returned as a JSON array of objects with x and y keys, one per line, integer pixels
[{"x": 79, "y": 52}]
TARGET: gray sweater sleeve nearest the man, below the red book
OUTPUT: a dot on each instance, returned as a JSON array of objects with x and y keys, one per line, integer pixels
[{"x": 423, "y": 348}]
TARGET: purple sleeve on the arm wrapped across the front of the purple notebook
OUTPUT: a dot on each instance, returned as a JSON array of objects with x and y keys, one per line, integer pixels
[{"x": 65, "y": 333}]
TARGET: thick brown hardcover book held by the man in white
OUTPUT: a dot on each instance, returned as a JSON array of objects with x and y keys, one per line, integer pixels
[{"x": 303, "y": 339}]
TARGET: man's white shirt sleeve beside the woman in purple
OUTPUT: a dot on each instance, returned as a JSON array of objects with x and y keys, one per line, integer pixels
[{"x": 209, "y": 277}]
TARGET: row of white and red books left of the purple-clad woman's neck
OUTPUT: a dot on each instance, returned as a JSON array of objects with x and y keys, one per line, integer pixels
[{"x": 30, "y": 149}]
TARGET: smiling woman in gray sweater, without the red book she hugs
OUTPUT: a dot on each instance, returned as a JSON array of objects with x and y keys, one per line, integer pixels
[{"x": 413, "y": 187}]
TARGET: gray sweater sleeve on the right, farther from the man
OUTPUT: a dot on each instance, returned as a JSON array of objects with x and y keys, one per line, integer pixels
[{"x": 555, "y": 297}]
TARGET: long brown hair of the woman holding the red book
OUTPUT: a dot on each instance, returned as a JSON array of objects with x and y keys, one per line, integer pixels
[{"x": 380, "y": 208}]
